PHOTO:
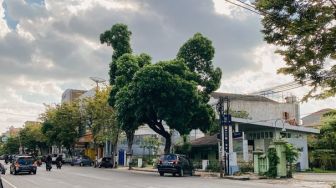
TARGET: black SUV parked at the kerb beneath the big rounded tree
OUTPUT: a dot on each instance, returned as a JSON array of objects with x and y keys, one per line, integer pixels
[{"x": 175, "y": 164}]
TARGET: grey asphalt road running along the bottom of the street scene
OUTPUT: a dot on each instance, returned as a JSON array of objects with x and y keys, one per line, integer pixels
[{"x": 88, "y": 177}]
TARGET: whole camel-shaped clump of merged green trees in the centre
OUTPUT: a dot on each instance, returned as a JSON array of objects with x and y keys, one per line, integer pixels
[{"x": 143, "y": 93}]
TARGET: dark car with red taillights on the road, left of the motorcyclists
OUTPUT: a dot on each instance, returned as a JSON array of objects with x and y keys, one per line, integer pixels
[{"x": 23, "y": 163}]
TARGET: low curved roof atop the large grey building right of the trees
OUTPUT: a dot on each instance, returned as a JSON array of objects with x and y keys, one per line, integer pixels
[{"x": 242, "y": 97}]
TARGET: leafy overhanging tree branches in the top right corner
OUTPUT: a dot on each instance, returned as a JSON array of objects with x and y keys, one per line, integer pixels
[{"x": 305, "y": 33}]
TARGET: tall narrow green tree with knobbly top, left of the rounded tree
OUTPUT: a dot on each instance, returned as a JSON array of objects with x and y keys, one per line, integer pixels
[{"x": 122, "y": 69}]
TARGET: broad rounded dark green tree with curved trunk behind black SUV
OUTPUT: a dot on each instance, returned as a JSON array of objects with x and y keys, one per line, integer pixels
[{"x": 166, "y": 93}]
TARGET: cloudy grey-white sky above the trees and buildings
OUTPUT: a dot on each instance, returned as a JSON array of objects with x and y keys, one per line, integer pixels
[{"x": 47, "y": 46}]
